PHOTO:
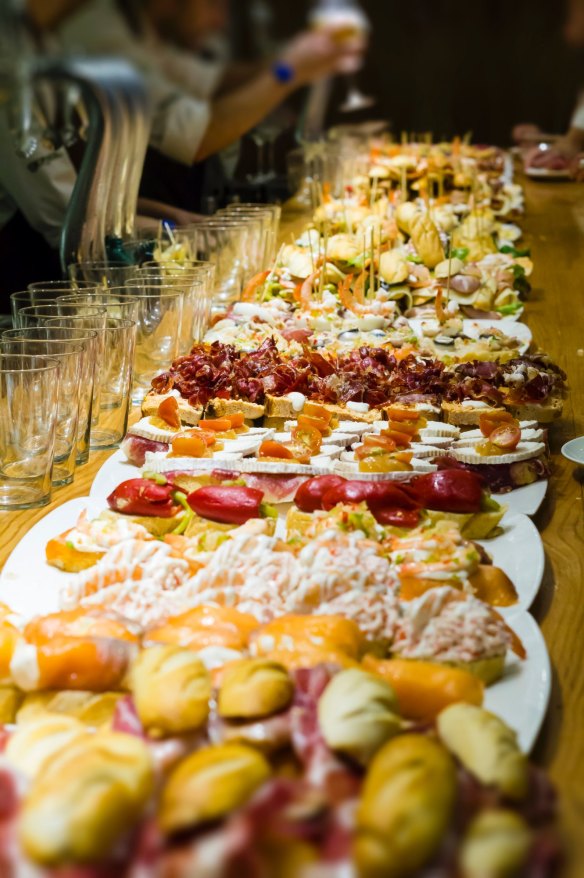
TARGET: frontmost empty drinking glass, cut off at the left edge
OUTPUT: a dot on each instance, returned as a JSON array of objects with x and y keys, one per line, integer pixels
[{"x": 29, "y": 391}]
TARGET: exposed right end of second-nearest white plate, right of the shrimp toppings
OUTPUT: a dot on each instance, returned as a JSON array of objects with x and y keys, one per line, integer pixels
[{"x": 518, "y": 551}]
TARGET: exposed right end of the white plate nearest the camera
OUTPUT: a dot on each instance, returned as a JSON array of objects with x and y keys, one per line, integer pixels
[{"x": 521, "y": 698}]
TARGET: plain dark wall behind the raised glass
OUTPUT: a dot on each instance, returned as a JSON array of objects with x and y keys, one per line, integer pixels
[{"x": 452, "y": 65}]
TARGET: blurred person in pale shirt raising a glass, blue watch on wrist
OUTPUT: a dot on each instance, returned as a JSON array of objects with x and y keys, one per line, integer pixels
[{"x": 200, "y": 102}]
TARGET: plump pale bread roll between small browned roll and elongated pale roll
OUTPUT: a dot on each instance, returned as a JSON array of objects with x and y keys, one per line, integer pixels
[{"x": 357, "y": 713}]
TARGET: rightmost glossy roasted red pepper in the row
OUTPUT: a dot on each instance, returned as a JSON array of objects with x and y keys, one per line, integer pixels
[{"x": 449, "y": 490}]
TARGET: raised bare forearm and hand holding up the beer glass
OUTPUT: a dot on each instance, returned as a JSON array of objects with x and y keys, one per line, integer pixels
[{"x": 311, "y": 56}]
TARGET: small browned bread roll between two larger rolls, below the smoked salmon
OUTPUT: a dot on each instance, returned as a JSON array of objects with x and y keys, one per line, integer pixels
[{"x": 253, "y": 688}]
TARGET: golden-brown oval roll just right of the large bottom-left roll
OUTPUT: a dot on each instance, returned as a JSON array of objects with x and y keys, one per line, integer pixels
[{"x": 210, "y": 784}]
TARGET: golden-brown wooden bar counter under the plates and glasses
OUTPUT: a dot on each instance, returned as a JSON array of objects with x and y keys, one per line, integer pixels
[{"x": 554, "y": 227}]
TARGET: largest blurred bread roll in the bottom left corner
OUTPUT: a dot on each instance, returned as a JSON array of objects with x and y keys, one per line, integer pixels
[{"x": 85, "y": 799}]
